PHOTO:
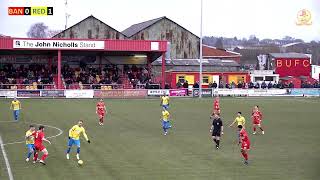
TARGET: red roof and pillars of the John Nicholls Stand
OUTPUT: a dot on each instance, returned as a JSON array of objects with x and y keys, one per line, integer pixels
[{"x": 59, "y": 51}]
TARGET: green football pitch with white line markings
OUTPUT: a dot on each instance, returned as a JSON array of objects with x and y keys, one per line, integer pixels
[{"x": 131, "y": 145}]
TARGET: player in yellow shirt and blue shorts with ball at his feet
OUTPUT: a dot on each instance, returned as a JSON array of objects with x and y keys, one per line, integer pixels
[{"x": 74, "y": 138}]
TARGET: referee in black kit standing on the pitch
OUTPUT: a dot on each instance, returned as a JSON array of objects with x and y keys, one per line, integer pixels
[{"x": 216, "y": 129}]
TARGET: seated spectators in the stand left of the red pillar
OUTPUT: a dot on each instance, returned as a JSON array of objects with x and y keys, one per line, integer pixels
[{"x": 25, "y": 74}]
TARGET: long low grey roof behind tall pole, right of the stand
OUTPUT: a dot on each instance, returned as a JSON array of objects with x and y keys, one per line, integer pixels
[{"x": 195, "y": 62}]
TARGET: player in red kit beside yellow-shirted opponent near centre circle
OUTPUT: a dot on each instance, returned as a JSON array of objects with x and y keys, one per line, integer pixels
[{"x": 39, "y": 138}]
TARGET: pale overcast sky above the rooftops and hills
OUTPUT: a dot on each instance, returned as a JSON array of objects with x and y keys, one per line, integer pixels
[{"x": 272, "y": 19}]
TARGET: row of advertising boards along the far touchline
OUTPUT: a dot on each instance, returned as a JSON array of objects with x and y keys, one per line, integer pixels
[{"x": 144, "y": 93}]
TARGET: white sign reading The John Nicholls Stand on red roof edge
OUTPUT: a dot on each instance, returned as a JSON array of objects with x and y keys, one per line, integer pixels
[{"x": 56, "y": 44}]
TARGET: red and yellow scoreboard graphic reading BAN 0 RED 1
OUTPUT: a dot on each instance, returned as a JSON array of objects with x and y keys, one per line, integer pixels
[{"x": 30, "y": 11}]
